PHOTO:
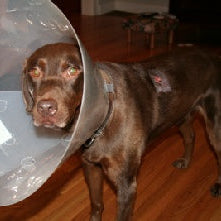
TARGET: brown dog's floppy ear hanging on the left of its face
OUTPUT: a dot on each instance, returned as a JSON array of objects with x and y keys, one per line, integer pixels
[{"x": 27, "y": 89}]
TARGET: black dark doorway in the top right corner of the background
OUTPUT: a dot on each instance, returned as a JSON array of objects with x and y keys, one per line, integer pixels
[{"x": 200, "y": 20}]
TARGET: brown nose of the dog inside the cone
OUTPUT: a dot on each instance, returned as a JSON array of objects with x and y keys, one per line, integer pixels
[{"x": 47, "y": 107}]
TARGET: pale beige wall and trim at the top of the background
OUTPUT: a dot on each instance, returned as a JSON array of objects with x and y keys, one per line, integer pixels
[{"x": 98, "y": 7}]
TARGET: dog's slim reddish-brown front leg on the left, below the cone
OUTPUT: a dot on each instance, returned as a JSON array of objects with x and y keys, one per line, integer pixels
[{"x": 94, "y": 178}]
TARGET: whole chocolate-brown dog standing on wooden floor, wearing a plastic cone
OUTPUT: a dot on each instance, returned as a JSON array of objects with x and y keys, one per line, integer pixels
[{"x": 148, "y": 98}]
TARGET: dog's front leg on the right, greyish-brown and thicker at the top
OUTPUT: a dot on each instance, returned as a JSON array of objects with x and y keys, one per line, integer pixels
[{"x": 123, "y": 175}]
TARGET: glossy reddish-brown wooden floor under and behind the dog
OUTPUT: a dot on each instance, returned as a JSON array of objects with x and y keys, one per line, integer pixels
[{"x": 164, "y": 193}]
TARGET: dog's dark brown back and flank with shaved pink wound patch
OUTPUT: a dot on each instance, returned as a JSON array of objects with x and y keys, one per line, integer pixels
[{"x": 166, "y": 88}]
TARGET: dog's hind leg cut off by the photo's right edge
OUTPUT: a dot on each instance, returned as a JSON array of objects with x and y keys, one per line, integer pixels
[{"x": 212, "y": 114}]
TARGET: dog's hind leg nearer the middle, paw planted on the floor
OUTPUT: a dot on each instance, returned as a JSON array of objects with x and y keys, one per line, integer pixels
[{"x": 187, "y": 131}]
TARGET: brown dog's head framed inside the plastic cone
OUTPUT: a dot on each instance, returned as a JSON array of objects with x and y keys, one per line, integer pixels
[{"x": 53, "y": 85}]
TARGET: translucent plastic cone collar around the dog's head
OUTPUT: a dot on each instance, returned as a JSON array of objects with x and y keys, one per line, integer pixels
[{"x": 29, "y": 155}]
